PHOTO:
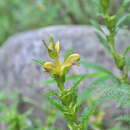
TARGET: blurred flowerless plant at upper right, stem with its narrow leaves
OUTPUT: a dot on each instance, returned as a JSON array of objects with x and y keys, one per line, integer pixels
[{"x": 112, "y": 23}]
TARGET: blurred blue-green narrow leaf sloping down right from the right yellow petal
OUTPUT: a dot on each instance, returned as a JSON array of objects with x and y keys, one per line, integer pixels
[{"x": 96, "y": 67}]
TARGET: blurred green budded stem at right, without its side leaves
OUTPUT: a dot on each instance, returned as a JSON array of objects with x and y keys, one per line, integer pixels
[{"x": 119, "y": 59}]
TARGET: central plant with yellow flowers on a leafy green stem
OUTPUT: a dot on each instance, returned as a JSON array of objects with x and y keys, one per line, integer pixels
[{"x": 68, "y": 98}]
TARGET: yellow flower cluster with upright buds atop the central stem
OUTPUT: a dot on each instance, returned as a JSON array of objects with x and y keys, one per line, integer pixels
[{"x": 57, "y": 67}]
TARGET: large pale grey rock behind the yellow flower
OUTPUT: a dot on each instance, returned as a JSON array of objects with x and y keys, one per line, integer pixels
[{"x": 19, "y": 73}]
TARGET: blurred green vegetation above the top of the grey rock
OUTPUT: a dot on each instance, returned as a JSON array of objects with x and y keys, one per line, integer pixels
[{"x": 22, "y": 15}]
